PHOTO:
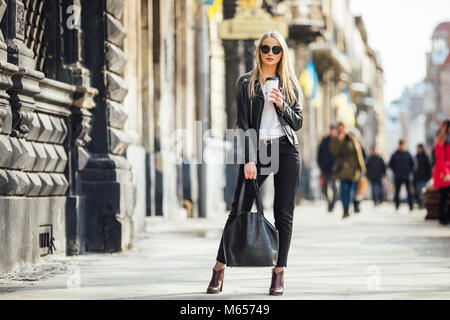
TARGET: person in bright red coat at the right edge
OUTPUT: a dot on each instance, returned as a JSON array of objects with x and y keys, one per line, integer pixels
[{"x": 441, "y": 170}]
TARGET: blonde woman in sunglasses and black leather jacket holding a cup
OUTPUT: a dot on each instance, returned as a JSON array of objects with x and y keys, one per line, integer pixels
[{"x": 275, "y": 116}]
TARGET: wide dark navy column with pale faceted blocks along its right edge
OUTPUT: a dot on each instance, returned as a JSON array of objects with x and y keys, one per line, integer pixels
[{"x": 105, "y": 181}]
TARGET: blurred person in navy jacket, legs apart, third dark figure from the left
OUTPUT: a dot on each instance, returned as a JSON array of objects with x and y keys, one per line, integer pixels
[{"x": 402, "y": 165}]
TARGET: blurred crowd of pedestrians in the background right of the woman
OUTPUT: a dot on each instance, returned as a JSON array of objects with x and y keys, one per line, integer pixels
[{"x": 347, "y": 172}]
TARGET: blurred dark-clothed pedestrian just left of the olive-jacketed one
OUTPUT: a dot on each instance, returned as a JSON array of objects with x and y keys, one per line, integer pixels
[{"x": 326, "y": 160}]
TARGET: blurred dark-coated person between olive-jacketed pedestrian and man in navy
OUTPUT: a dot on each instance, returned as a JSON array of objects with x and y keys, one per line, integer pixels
[{"x": 376, "y": 170}]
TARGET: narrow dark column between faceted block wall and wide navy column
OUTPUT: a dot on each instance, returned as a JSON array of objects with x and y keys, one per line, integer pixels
[{"x": 72, "y": 69}]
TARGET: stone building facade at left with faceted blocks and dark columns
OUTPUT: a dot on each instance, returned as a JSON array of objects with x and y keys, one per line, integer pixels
[{"x": 65, "y": 184}]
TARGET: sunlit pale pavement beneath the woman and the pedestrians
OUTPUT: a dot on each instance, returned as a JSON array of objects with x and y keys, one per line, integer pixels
[{"x": 377, "y": 254}]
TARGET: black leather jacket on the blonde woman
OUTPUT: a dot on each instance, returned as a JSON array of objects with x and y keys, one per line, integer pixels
[{"x": 249, "y": 115}]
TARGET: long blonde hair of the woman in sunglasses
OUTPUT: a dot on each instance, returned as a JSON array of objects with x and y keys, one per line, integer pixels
[{"x": 288, "y": 79}]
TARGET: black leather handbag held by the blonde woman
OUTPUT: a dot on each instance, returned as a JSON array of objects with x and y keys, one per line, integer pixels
[{"x": 250, "y": 240}]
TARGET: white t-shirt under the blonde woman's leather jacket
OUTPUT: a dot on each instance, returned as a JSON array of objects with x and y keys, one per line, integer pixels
[{"x": 270, "y": 127}]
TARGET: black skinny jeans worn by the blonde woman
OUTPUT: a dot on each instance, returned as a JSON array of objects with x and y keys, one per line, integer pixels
[{"x": 286, "y": 180}]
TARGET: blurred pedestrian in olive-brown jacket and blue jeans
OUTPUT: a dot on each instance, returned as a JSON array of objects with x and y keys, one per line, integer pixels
[{"x": 348, "y": 165}]
